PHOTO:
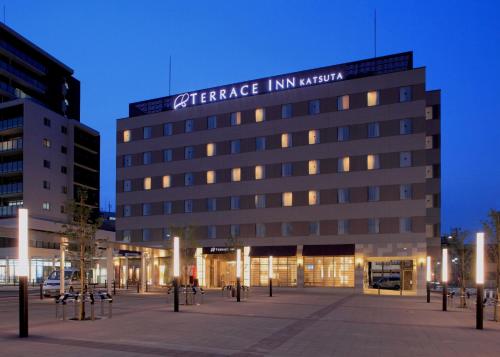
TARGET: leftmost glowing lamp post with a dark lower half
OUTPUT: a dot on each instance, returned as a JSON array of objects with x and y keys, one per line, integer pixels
[{"x": 23, "y": 271}]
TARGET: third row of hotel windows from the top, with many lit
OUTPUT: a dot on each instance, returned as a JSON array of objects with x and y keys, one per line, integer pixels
[{"x": 313, "y": 168}]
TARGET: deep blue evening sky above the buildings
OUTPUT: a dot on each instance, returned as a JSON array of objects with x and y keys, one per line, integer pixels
[{"x": 120, "y": 51}]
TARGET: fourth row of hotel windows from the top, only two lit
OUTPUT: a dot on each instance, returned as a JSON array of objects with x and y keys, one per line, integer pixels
[{"x": 313, "y": 199}]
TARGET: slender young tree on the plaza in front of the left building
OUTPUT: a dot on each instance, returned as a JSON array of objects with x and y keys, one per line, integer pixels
[{"x": 80, "y": 230}]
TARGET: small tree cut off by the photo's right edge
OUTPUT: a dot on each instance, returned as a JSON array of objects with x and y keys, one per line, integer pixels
[{"x": 492, "y": 230}]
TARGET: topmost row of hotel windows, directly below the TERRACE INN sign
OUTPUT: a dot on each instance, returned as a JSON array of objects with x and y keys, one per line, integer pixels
[{"x": 343, "y": 103}]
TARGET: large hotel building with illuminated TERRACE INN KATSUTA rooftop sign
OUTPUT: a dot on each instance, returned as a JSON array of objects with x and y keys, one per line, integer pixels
[{"x": 334, "y": 172}]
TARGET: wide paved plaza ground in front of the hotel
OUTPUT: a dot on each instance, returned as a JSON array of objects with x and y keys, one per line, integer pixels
[{"x": 314, "y": 322}]
